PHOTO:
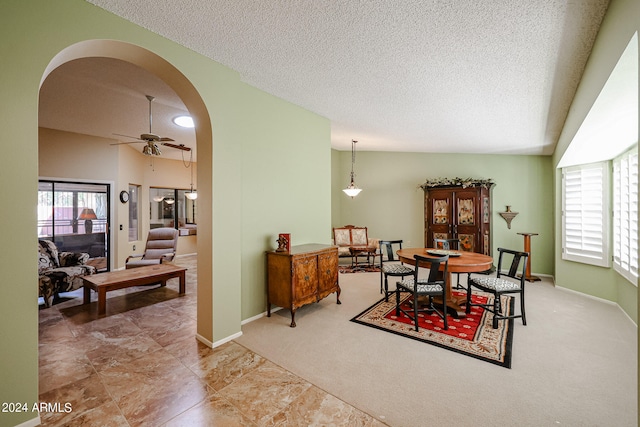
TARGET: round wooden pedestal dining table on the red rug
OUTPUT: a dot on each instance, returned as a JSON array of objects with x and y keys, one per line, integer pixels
[{"x": 466, "y": 262}]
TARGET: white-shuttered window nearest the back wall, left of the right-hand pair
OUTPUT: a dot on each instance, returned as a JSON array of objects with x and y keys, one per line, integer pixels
[{"x": 585, "y": 224}]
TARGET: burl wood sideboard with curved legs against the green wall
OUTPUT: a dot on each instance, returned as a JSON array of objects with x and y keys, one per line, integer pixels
[{"x": 305, "y": 274}]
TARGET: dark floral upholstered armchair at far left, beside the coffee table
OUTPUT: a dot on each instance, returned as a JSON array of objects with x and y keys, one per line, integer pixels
[{"x": 59, "y": 271}]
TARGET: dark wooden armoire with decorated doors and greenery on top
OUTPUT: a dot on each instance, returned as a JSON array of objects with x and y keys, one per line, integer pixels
[{"x": 457, "y": 212}]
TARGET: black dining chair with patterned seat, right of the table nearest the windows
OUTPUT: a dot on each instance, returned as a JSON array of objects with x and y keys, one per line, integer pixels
[{"x": 499, "y": 286}]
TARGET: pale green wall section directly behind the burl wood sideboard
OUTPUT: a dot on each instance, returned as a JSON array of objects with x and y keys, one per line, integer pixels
[{"x": 295, "y": 160}]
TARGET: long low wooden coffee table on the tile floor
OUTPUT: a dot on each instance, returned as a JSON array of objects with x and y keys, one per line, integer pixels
[{"x": 147, "y": 275}]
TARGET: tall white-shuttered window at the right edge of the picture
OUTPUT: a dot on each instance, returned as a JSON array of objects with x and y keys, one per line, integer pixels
[{"x": 625, "y": 215}]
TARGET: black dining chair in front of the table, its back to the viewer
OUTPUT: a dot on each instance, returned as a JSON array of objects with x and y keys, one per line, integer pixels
[{"x": 432, "y": 286}]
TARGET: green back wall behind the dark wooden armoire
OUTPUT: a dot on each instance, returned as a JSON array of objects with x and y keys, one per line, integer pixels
[{"x": 391, "y": 204}]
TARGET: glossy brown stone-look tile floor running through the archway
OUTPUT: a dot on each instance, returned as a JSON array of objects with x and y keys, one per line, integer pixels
[{"x": 140, "y": 365}]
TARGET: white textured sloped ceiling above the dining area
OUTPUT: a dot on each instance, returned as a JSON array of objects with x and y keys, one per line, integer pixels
[{"x": 463, "y": 76}]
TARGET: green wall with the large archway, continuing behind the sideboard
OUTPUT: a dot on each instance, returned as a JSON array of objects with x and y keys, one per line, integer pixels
[{"x": 258, "y": 159}]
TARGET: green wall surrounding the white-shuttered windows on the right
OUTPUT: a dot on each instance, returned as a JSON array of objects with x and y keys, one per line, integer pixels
[{"x": 620, "y": 23}]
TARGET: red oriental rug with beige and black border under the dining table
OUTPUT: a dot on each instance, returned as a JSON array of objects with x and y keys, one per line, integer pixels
[{"x": 473, "y": 335}]
